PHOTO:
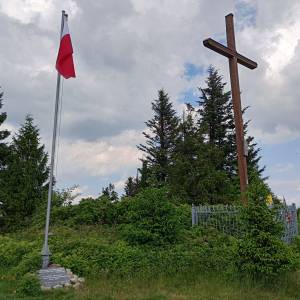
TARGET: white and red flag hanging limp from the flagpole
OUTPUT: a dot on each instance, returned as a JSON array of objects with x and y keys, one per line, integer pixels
[{"x": 64, "y": 62}]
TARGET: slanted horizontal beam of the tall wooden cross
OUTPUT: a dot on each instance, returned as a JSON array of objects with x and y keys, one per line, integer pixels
[{"x": 217, "y": 47}]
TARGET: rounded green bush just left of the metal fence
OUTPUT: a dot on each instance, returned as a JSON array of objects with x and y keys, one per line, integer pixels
[{"x": 150, "y": 218}]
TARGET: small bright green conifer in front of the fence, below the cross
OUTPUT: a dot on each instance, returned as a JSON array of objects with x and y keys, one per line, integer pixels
[{"x": 261, "y": 254}]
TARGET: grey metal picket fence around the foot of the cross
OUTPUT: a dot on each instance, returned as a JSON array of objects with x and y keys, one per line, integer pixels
[{"x": 226, "y": 218}]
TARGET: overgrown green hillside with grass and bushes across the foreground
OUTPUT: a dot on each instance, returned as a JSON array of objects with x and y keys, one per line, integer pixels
[{"x": 145, "y": 248}]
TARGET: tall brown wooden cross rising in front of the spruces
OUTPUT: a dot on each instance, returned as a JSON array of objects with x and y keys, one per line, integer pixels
[{"x": 234, "y": 59}]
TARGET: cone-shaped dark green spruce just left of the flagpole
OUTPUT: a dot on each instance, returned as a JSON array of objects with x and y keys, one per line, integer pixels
[{"x": 24, "y": 185}]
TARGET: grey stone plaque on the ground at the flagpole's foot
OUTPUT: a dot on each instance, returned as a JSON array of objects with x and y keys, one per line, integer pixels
[{"x": 52, "y": 277}]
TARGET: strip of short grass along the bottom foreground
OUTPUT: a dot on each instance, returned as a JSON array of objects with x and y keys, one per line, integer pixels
[{"x": 175, "y": 288}]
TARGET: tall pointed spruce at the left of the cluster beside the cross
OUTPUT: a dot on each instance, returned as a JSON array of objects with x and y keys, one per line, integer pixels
[{"x": 160, "y": 137}]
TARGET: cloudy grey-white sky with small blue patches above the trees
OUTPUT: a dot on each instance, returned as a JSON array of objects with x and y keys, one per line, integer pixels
[{"x": 124, "y": 51}]
